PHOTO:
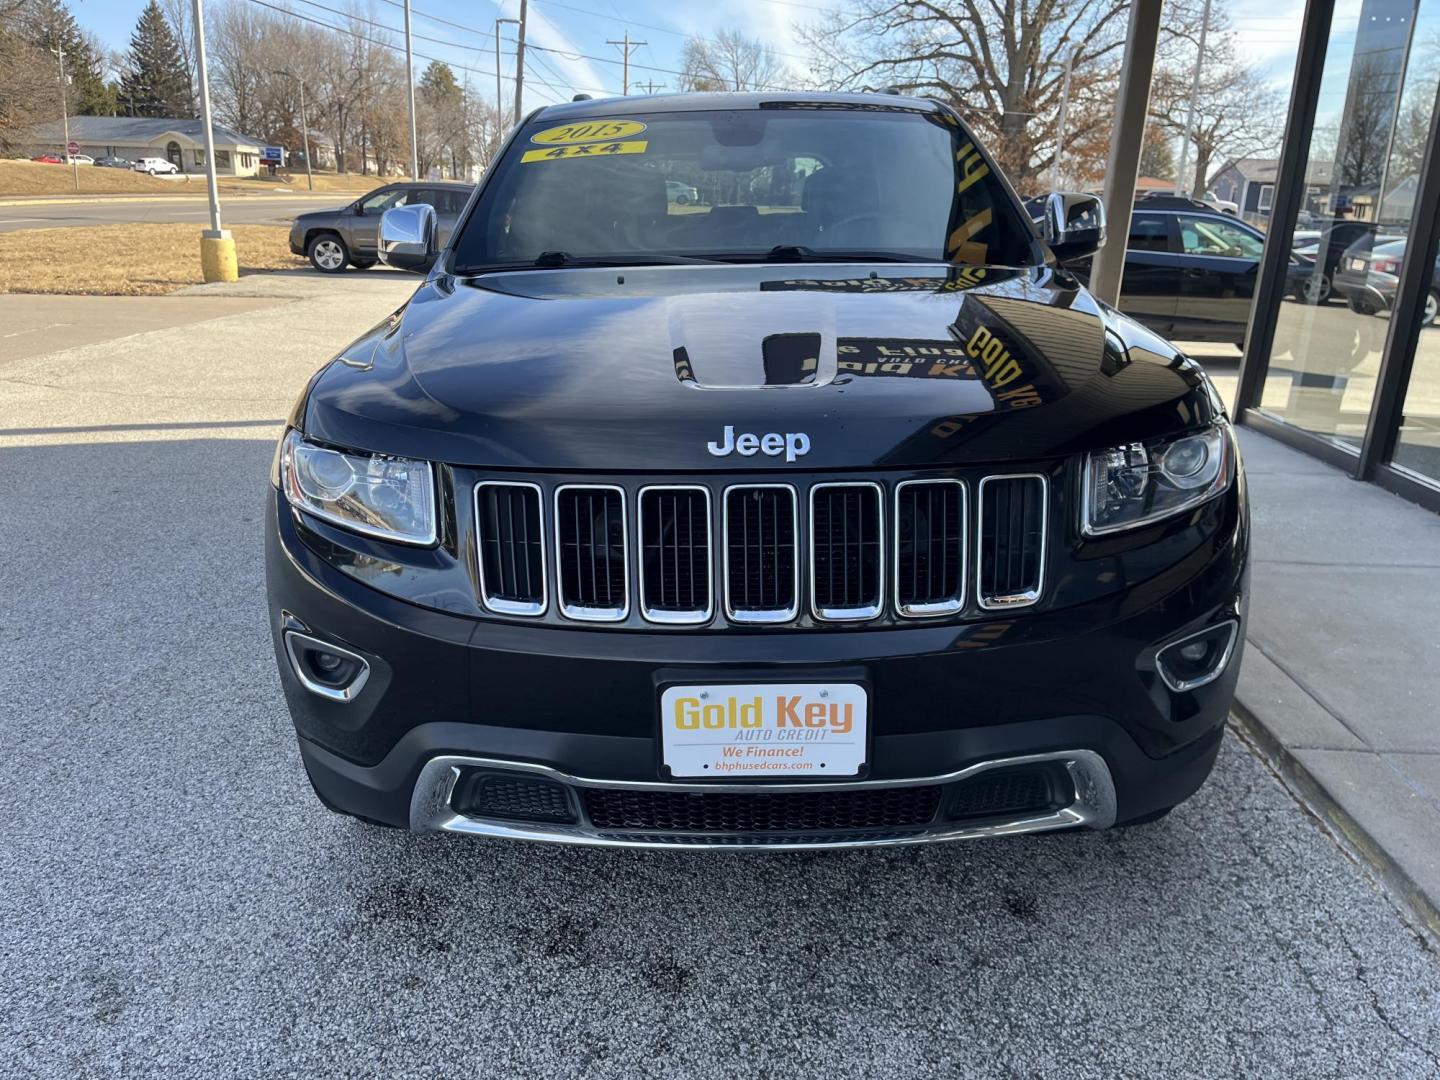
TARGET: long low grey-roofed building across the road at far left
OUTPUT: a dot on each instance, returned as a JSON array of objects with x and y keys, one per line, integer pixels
[{"x": 181, "y": 142}]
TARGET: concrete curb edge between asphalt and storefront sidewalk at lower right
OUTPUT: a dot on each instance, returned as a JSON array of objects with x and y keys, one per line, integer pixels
[{"x": 1357, "y": 842}]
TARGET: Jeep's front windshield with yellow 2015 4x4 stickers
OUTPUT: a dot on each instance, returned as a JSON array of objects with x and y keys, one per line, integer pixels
[{"x": 790, "y": 185}]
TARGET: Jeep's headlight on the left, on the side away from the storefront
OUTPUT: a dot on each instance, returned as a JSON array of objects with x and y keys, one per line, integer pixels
[{"x": 388, "y": 498}]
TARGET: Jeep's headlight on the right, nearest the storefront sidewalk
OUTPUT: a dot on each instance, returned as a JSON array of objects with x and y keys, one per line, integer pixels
[{"x": 1146, "y": 482}]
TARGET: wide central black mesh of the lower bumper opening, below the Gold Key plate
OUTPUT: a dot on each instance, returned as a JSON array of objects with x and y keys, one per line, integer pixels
[{"x": 819, "y": 811}]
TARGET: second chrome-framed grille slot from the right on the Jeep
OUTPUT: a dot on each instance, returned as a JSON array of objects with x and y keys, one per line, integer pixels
[{"x": 930, "y": 548}]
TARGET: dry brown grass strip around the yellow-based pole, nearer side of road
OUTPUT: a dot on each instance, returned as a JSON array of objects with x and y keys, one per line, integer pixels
[{"x": 129, "y": 260}]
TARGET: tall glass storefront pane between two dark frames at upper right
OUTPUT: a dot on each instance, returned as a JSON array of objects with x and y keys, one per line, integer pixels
[{"x": 1374, "y": 110}]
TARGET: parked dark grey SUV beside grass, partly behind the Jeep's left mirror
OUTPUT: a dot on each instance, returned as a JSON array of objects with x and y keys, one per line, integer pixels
[{"x": 333, "y": 240}]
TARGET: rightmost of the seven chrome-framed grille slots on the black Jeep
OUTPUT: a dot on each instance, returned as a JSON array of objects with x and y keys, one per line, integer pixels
[{"x": 1010, "y": 567}]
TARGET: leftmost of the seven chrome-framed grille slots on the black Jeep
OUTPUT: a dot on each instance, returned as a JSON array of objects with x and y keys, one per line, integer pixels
[{"x": 510, "y": 548}]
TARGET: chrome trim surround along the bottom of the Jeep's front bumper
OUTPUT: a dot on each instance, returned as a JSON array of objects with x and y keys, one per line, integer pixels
[{"x": 431, "y": 810}]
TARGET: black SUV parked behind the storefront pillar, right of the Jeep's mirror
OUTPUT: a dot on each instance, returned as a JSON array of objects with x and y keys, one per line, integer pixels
[{"x": 1190, "y": 273}]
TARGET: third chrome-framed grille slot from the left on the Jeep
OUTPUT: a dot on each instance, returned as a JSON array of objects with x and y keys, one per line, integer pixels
[{"x": 676, "y": 580}]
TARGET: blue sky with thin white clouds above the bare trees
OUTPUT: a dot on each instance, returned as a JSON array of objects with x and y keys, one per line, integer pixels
[{"x": 580, "y": 31}]
